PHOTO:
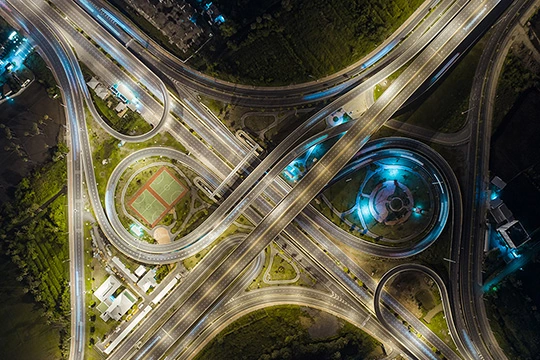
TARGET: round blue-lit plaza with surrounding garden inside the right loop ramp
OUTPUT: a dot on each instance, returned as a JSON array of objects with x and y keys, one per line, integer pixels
[{"x": 388, "y": 195}]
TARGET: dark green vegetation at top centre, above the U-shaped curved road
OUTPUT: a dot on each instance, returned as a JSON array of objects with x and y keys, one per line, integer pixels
[{"x": 282, "y": 42}]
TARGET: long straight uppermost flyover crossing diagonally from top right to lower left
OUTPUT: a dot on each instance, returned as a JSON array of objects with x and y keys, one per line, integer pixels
[{"x": 331, "y": 163}]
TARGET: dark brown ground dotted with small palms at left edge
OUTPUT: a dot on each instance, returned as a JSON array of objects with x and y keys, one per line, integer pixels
[{"x": 26, "y": 135}]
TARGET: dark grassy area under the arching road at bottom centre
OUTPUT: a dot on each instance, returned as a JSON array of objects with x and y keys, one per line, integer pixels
[{"x": 285, "y": 332}]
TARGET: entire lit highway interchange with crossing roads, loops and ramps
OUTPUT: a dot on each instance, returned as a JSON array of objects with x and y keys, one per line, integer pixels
[{"x": 213, "y": 296}]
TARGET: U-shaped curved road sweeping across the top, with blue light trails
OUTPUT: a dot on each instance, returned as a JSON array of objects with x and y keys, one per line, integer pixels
[{"x": 291, "y": 95}]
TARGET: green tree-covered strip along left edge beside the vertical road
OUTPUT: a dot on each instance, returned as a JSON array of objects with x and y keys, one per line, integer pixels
[{"x": 33, "y": 233}]
